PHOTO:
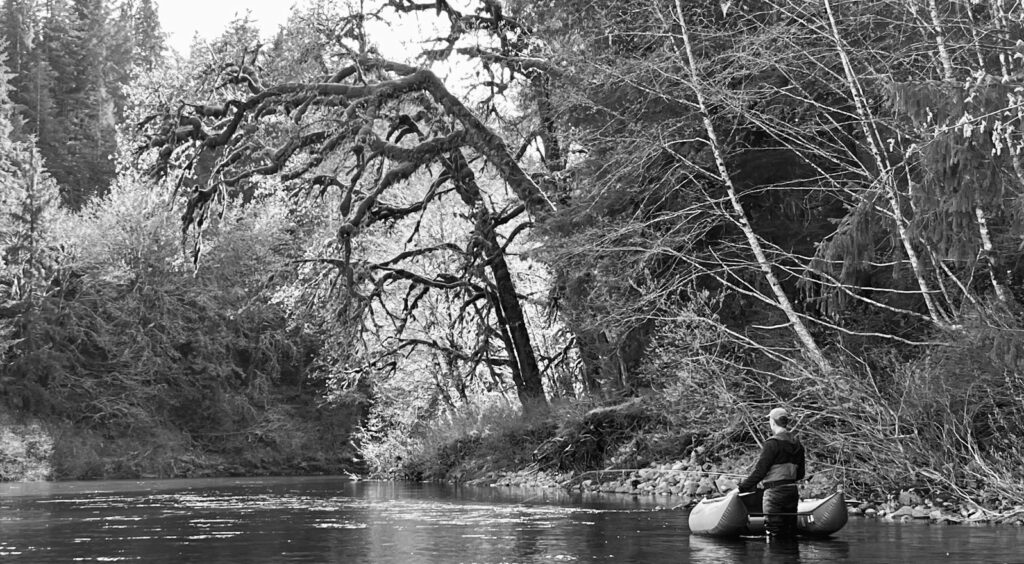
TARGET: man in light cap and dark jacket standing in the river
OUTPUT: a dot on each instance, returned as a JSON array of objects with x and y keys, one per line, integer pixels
[{"x": 780, "y": 466}]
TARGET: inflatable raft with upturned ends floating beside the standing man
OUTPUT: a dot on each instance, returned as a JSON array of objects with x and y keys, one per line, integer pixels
[{"x": 738, "y": 514}]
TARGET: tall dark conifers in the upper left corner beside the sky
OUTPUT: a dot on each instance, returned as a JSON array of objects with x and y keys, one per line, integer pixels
[{"x": 71, "y": 61}]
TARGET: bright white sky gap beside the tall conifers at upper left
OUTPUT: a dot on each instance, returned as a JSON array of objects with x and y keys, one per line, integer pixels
[{"x": 184, "y": 19}]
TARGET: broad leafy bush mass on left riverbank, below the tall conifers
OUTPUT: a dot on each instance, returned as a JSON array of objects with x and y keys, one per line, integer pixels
[{"x": 158, "y": 369}]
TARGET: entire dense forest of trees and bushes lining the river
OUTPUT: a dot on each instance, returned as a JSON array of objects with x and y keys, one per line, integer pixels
[{"x": 566, "y": 235}]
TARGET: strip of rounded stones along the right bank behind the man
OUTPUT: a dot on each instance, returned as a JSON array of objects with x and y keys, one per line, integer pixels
[{"x": 684, "y": 484}]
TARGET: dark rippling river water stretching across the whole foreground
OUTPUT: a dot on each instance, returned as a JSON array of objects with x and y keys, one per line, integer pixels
[{"x": 338, "y": 520}]
